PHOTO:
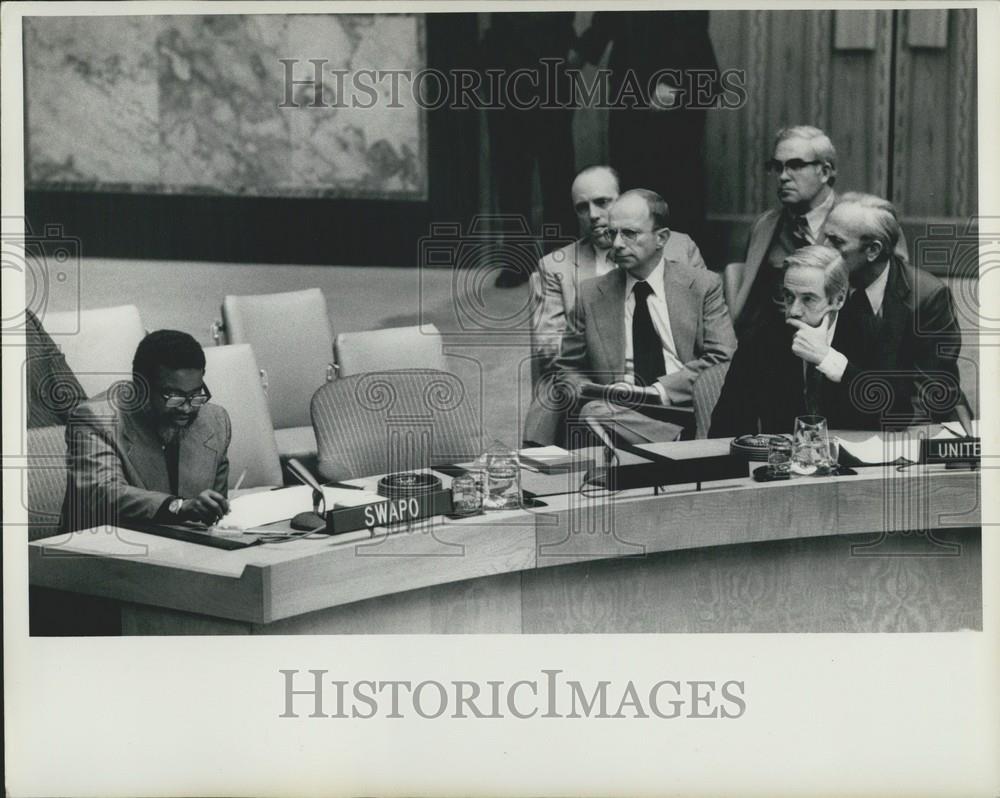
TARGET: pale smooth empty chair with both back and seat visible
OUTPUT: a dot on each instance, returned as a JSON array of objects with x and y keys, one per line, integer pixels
[{"x": 292, "y": 341}]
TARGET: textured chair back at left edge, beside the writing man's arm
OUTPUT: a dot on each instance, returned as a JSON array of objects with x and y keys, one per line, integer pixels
[{"x": 46, "y": 480}]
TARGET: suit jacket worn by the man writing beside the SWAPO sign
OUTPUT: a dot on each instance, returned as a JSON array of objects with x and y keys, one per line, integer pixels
[{"x": 116, "y": 470}]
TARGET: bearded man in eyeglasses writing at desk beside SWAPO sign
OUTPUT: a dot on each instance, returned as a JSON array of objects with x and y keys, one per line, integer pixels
[{"x": 152, "y": 451}]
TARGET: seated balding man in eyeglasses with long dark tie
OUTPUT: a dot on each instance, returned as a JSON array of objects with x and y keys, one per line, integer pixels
[{"x": 647, "y": 329}]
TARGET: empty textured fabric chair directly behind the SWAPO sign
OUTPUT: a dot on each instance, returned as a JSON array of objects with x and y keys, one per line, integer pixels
[{"x": 392, "y": 421}]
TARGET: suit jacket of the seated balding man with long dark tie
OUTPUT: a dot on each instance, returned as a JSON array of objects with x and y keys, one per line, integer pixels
[{"x": 594, "y": 345}]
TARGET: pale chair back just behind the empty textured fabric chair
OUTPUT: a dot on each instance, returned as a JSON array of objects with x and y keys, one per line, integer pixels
[{"x": 390, "y": 349}]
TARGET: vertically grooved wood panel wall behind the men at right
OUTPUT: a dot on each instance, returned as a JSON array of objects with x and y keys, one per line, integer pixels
[{"x": 903, "y": 118}]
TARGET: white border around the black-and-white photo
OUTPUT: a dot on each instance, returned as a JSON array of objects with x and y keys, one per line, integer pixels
[{"x": 892, "y": 714}]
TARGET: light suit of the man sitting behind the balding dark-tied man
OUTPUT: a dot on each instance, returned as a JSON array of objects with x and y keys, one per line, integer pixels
[{"x": 554, "y": 291}]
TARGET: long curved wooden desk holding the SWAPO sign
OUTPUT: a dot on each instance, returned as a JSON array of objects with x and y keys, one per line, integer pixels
[{"x": 811, "y": 554}]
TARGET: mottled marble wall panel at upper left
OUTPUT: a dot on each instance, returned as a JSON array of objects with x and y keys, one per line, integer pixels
[{"x": 196, "y": 104}]
